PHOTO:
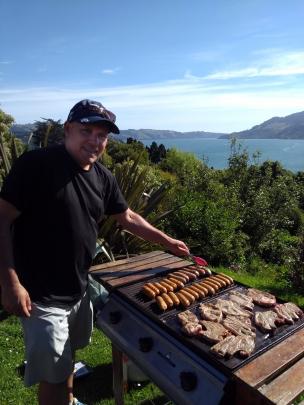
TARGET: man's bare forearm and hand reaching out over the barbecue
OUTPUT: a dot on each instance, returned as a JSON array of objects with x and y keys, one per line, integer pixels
[{"x": 137, "y": 225}]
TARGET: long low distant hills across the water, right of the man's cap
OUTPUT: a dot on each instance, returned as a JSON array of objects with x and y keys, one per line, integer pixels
[{"x": 157, "y": 134}]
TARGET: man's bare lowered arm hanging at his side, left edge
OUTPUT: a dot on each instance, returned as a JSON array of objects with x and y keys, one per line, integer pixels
[{"x": 15, "y": 298}]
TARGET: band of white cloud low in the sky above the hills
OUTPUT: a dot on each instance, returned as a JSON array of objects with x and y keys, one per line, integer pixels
[{"x": 191, "y": 103}]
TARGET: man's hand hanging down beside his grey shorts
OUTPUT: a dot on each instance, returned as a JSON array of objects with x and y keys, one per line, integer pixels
[{"x": 16, "y": 300}]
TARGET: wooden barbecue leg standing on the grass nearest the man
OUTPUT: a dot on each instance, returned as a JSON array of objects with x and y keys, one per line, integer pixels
[{"x": 119, "y": 386}]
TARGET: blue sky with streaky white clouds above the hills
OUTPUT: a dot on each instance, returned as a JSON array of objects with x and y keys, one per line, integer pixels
[{"x": 221, "y": 65}]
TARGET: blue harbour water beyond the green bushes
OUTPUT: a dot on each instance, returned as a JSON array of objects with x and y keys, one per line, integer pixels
[{"x": 215, "y": 152}]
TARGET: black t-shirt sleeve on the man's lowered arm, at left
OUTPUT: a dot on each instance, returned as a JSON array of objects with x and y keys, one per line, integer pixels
[{"x": 20, "y": 186}]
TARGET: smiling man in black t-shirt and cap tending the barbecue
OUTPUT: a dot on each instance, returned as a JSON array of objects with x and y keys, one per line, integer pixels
[{"x": 50, "y": 206}]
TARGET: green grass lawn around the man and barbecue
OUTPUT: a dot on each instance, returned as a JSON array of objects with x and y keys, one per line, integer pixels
[{"x": 96, "y": 388}]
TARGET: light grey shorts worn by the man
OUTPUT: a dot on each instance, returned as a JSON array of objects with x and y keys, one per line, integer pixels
[{"x": 51, "y": 336}]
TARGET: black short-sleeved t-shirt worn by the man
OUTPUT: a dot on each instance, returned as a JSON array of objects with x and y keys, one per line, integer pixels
[{"x": 54, "y": 238}]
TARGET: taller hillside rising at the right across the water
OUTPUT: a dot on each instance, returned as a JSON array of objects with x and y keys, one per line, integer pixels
[{"x": 289, "y": 127}]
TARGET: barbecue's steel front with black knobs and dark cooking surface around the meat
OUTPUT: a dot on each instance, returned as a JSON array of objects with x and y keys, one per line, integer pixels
[{"x": 183, "y": 367}]
